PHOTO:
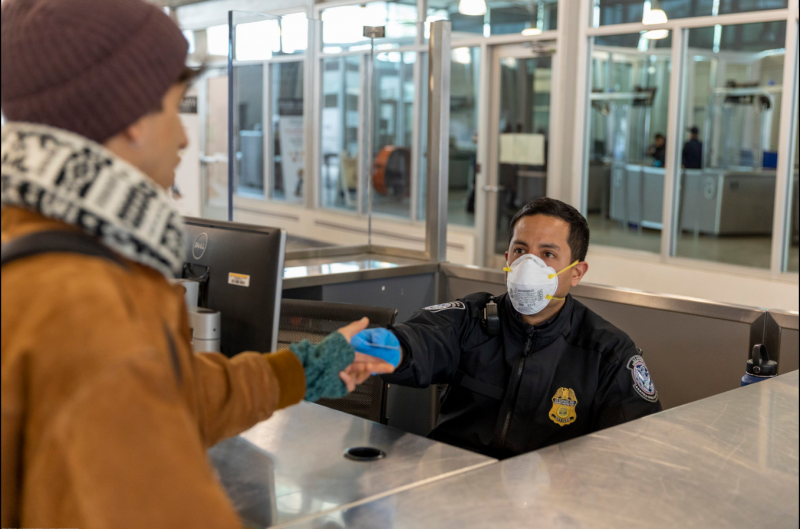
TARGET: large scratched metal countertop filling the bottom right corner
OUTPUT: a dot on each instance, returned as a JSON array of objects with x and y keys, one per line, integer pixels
[{"x": 727, "y": 461}]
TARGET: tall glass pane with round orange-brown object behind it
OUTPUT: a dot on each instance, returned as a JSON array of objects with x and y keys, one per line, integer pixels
[{"x": 392, "y": 127}]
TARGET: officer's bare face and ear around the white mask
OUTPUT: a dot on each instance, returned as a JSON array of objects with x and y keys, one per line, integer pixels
[{"x": 548, "y": 239}]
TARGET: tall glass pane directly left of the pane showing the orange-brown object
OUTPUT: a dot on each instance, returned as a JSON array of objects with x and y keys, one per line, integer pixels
[{"x": 341, "y": 89}]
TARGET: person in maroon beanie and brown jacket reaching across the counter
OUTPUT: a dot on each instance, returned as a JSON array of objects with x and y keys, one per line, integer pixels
[{"x": 106, "y": 412}]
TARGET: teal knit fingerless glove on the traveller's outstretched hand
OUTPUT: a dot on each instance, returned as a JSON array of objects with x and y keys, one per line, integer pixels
[{"x": 322, "y": 363}]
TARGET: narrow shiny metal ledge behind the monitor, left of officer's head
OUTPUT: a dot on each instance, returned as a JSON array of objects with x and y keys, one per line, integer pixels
[{"x": 313, "y": 271}]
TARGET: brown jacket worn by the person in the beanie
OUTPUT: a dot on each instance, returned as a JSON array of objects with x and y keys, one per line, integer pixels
[{"x": 99, "y": 428}]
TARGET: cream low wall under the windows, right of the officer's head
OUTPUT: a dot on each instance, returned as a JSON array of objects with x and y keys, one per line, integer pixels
[{"x": 652, "y": 275}]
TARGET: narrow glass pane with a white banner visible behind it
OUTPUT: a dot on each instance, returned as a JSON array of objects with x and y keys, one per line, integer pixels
[{"x": 288, "y": 152}]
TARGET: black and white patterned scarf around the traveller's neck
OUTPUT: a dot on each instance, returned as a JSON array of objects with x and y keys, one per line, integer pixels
[{"x": 69, "y": 178}]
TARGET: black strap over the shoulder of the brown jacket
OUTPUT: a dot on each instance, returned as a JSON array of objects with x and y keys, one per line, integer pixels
[{"x": 56, "y": 241}]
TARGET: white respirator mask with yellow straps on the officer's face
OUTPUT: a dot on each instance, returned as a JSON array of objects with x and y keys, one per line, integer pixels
[{"x": 531, "y": 284}]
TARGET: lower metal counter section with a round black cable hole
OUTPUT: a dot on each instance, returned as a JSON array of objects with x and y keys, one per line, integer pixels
[{"x": 292, "y": 466}]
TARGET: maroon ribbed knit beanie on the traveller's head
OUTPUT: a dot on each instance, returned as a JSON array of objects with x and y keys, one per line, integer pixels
[{"x": 92, "y": 67}]
